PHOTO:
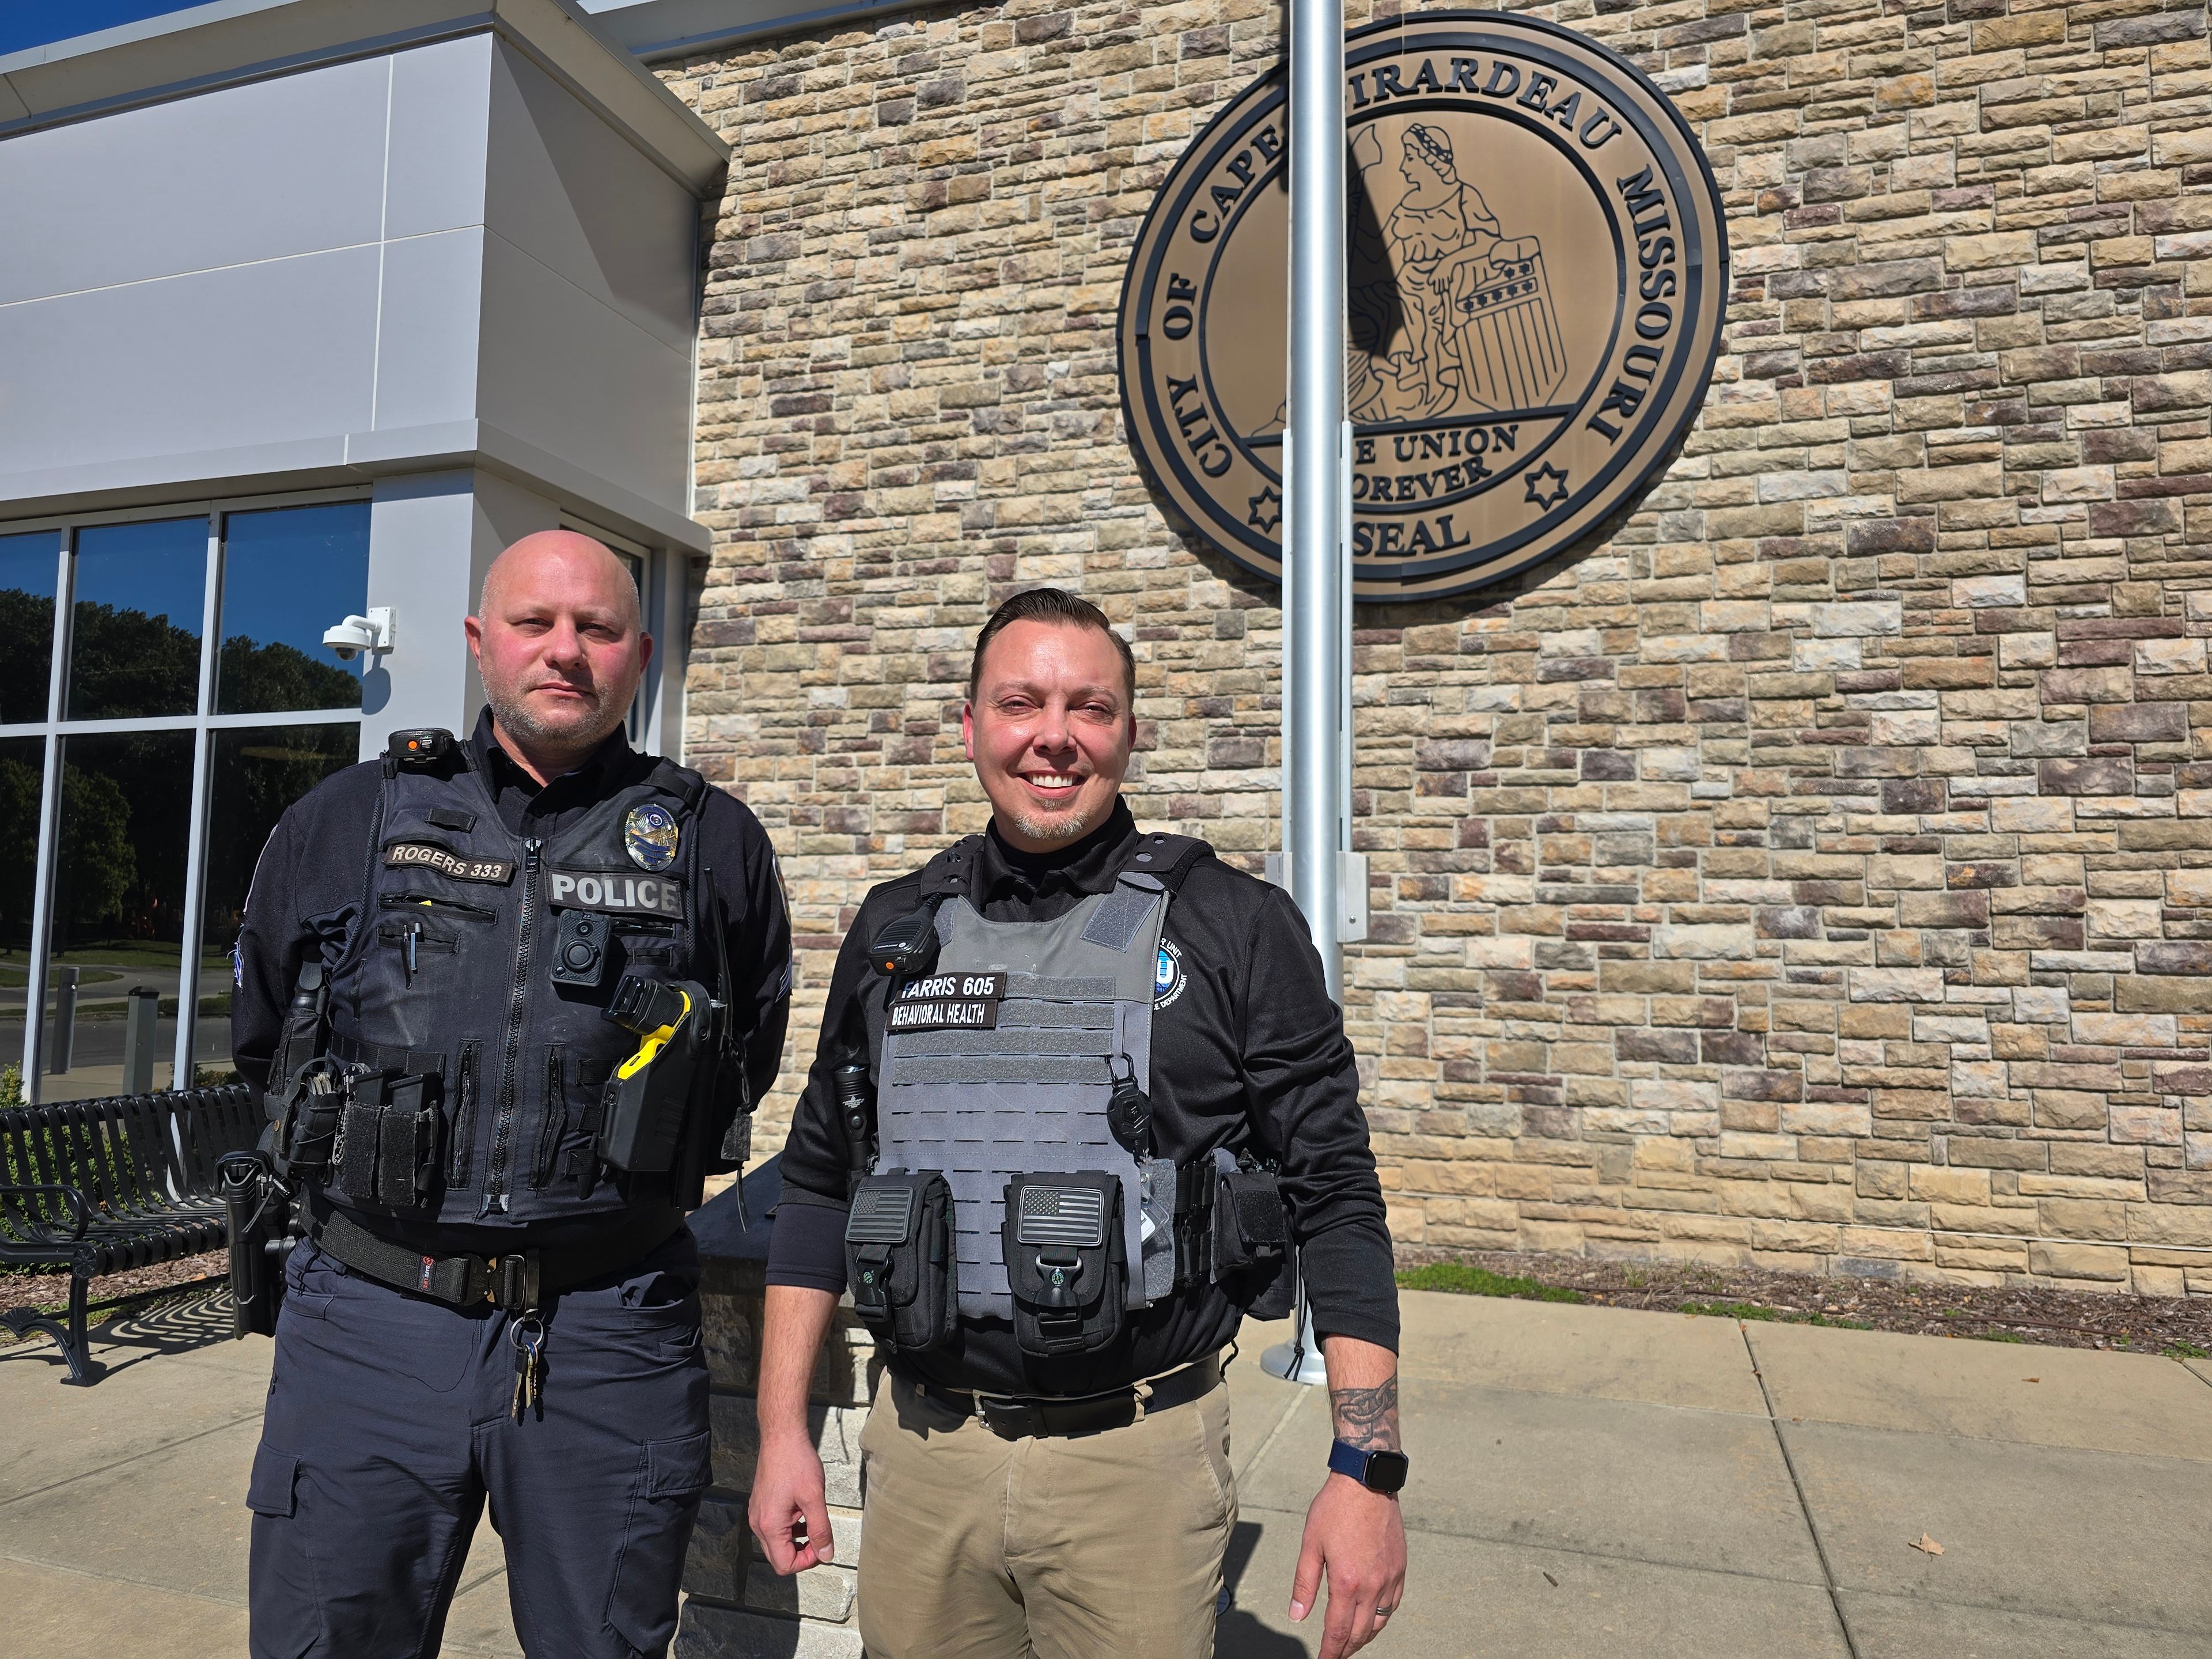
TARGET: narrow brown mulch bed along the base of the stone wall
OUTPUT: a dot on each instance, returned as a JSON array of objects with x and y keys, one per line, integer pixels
[{"x": 2178, "y": 1326}]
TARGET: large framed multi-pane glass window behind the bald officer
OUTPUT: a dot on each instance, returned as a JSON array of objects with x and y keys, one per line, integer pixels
[{"x": 178, "y": 749}]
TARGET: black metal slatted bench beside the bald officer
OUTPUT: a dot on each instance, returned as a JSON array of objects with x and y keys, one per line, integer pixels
[{"x": 101, "y": 1187}]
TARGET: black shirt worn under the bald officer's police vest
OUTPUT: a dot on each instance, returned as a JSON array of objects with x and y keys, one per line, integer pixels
[{"x": 306, "y": 895}]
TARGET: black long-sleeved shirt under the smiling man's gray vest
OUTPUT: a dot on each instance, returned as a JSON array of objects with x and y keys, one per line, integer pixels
[{"x": 1244, "y": 1039}]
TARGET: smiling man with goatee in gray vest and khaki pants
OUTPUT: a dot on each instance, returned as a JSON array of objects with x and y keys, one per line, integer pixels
[{"x": 1081, "y": 1098}]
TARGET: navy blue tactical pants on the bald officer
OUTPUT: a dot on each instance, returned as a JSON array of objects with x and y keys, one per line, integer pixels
[{"x": 388, "y": 1428}]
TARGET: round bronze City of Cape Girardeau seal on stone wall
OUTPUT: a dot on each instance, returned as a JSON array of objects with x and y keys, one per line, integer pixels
[{"x": 1538, "y": 271}]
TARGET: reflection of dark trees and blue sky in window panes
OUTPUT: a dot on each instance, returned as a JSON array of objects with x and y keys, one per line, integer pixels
[{"x": 123, "y": 831}]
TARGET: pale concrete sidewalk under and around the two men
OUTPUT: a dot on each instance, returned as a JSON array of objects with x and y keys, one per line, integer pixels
[{"x": 1587, "y": 1483}]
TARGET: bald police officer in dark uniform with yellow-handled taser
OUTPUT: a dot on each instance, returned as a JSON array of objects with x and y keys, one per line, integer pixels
[{"x": 510, "y": 1001}]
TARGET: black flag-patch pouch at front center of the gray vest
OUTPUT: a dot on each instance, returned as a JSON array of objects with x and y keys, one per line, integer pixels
[{"x": 1065, "y": 1262}]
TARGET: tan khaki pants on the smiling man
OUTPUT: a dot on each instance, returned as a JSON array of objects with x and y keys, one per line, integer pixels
[{"x": 1089, "y": 1547}]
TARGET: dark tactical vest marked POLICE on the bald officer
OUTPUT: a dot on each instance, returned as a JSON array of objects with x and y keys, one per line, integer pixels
[{"x": 450, "y": 972}]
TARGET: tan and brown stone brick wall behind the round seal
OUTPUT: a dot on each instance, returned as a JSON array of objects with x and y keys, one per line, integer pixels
[{"x": 1817, "y": 875}]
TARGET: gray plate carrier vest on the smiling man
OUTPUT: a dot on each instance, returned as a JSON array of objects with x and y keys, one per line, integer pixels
[{"x": 1030, "y": 1096}]
